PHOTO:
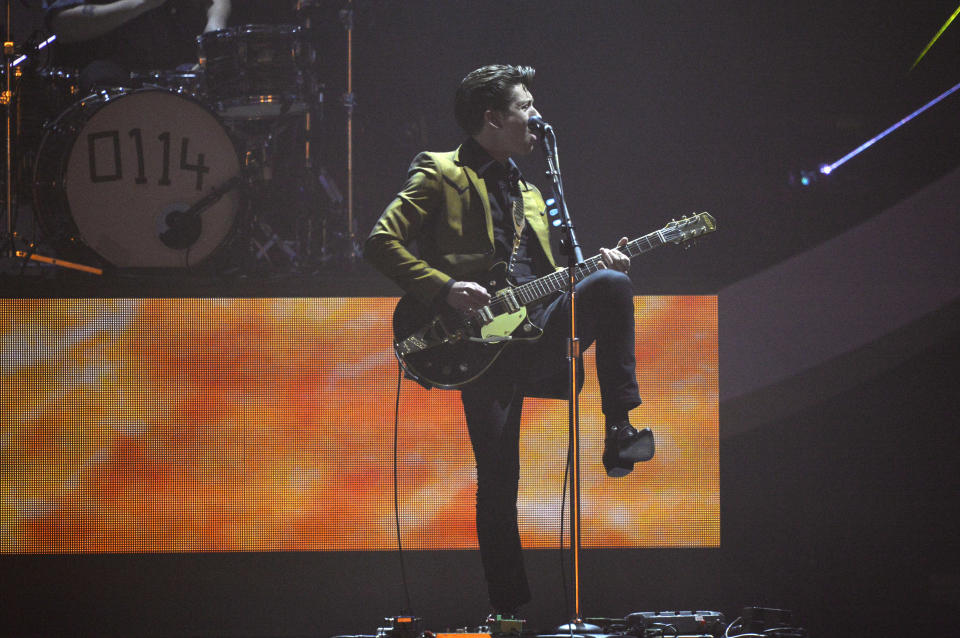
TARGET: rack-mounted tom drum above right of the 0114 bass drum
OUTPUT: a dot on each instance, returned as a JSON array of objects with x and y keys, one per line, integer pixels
[{"x": 253, "y": 72}]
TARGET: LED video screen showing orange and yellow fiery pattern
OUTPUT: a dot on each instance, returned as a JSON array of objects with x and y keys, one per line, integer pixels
[{"x": 196, "y": 425}]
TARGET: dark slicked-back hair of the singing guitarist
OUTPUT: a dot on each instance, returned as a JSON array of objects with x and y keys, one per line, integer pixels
[{"x": 488, "y": 87}]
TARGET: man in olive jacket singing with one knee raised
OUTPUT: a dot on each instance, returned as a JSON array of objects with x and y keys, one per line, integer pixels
[{"x": 463, "y": 208}]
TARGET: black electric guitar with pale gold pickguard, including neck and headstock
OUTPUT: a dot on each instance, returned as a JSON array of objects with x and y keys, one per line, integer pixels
[{"x": 450, "y": 349}]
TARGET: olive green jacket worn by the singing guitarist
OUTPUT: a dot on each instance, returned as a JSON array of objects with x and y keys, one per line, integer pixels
[{"x": 444, "y": 207}]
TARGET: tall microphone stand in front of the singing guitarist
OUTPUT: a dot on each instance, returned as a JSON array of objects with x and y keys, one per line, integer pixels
[{"x": 571, "y": 248}]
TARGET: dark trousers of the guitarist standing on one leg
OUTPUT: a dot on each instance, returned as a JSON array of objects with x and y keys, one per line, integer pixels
[{"x": 492, "y": 406}]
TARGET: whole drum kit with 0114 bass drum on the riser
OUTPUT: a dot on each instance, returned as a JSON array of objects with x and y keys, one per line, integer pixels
[{"x": 211, "y": 166}]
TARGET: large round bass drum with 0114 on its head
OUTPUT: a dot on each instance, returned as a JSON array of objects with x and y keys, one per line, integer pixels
[{"x": 122, "y": 171}]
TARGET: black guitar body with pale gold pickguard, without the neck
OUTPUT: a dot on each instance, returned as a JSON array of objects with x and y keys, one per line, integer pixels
[{"x": 450, "y": 349}]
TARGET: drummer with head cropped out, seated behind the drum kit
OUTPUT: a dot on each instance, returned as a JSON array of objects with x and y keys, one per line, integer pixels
[{"x": 107, "y": 39}]
